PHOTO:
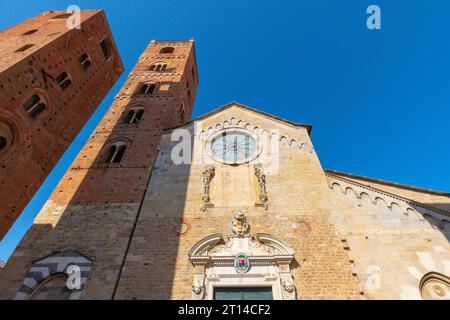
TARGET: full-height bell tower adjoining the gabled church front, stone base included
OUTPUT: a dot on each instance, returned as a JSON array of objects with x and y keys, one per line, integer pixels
[{"x": 92, "y": 212}]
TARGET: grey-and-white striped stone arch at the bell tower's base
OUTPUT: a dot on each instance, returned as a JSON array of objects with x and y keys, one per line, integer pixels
[{"x": 51, "y": 265}]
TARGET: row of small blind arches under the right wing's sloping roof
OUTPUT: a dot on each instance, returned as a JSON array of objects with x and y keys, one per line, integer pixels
[{"x": 375, "y": 196}]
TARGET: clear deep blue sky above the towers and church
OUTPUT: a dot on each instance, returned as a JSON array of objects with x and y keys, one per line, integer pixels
[{"x": 379, "y": 100}]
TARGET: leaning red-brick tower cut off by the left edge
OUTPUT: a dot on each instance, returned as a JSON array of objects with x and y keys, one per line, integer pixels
[{"x": 52, "y": 78}]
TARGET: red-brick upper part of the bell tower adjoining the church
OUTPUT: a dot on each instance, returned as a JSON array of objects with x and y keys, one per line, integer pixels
[{"x": 115, "y": 164}]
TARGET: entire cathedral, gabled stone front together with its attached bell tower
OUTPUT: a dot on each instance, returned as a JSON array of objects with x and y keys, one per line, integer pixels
[{"x": 231, "y": 205}]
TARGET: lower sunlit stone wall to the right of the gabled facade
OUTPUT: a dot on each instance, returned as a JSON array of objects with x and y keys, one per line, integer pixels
[{"x": 394, "y": 242}]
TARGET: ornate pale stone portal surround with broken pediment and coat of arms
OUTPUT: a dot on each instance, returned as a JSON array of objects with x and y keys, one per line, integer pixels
[{"x": 269, "y": 258}]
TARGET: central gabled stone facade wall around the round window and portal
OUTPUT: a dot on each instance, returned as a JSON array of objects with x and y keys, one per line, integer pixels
[{"x": 299, "y": 213}]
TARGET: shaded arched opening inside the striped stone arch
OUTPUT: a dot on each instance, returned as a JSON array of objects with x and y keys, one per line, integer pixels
[{"x": 52, "y": 288}]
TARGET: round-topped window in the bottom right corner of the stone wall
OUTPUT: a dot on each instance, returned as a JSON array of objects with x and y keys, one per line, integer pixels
[{"x": 435, "y": 286}]
